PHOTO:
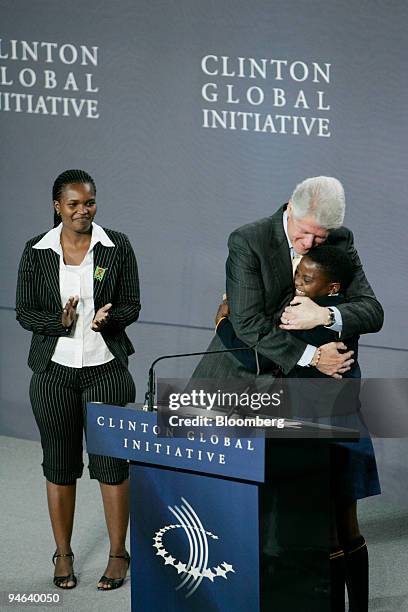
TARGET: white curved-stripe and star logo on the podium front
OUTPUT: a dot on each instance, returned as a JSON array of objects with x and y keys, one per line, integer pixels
[{"x": 195, "y": 569}]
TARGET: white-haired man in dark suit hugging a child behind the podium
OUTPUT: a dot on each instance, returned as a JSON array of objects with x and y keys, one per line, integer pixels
[{"x": 259, "y": 282}]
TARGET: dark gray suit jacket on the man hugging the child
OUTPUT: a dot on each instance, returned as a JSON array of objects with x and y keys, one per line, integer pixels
[{"x": 260, "y": 284}]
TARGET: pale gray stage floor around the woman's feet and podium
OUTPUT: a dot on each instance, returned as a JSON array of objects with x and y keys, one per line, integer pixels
[{"x": 27, "y": 543}]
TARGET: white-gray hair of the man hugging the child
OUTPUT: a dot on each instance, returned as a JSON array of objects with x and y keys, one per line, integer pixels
[{"x": 322, "y": 197}]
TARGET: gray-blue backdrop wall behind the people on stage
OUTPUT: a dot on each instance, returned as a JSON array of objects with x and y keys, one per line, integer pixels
[{"x": 178, "y": 189}]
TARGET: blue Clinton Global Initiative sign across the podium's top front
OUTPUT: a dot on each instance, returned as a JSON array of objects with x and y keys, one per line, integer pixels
[{"x": 134, "y": 434}]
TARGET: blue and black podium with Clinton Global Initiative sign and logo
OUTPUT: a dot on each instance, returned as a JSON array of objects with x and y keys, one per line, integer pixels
[{"x": 210, "y": 528}]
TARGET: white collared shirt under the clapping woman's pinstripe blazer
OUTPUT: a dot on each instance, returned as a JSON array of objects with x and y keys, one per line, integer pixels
[{"x": 83, "y": 347}]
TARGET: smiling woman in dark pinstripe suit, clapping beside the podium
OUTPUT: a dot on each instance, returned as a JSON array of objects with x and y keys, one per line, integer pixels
[{"x": 77, "y": 291}]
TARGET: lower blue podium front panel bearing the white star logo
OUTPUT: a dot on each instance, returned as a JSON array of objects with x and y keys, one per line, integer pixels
[{"x": 194, "y": 542}]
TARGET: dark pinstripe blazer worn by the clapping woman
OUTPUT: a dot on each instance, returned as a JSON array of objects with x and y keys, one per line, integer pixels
[{"x": 38, "y": 300}]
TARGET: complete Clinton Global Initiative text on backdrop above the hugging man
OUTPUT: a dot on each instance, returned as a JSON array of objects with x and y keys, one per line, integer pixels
[{"x": 243, "y": 93}]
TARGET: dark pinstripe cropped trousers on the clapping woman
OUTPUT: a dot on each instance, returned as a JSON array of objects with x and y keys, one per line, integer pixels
[{"x": 58, "y": 397}]
